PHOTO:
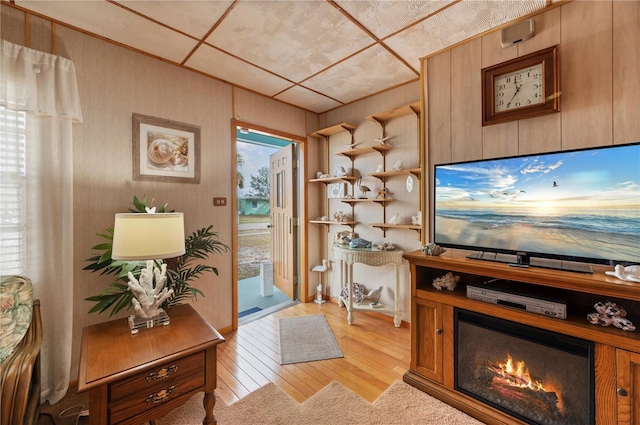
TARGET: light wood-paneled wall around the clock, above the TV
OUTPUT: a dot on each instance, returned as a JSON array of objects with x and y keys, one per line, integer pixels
[{"x": 599, "y": 81}]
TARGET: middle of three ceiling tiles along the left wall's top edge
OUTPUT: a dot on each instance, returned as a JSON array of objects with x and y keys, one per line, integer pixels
[{"x": 228, "y": 68}]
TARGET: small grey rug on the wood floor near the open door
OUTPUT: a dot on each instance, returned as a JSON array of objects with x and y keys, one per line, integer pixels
[{"x": 307, "y": 339}]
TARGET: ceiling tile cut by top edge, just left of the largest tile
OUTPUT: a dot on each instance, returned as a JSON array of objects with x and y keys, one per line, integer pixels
[{"x": 194, "y": 18}]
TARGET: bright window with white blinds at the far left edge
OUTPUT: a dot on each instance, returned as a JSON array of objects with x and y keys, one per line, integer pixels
[{"x": 12, "y": 191}]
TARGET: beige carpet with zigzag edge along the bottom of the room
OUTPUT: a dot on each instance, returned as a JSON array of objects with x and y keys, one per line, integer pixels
[{"x": 401, "y": 404}]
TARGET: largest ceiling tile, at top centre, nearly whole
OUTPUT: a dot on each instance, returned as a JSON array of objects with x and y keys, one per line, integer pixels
[{"x": 295, "y": 39}]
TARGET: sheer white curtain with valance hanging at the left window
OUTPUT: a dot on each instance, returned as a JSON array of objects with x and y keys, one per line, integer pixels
[{"x": 44, "y": 86}]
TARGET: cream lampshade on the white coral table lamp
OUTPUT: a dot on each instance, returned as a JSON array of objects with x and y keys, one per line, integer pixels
[{"x": 139, "y": 236}]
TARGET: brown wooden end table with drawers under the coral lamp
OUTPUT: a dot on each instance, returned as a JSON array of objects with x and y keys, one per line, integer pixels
[{"x": 133, "y": 379}]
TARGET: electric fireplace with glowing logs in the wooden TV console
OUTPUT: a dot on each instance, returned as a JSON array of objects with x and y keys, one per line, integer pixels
[{"x": 537, "y": 376}]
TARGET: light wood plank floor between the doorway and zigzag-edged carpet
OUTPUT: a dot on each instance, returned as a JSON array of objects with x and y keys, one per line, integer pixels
[{"x": 376, "y": 354}]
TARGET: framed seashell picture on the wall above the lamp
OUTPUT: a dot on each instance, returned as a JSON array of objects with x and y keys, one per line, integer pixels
[{"x": 165, "y": 150}]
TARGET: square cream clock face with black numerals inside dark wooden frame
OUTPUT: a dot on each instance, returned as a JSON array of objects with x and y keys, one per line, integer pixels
[{"x": 519, "y": 89}]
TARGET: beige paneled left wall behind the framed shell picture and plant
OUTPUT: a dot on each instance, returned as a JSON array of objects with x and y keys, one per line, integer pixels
[{"x": 115, "y": 82}]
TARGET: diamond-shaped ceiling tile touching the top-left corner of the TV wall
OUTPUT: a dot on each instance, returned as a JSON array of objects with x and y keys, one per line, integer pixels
[{"x": 370, "y": 71}]
